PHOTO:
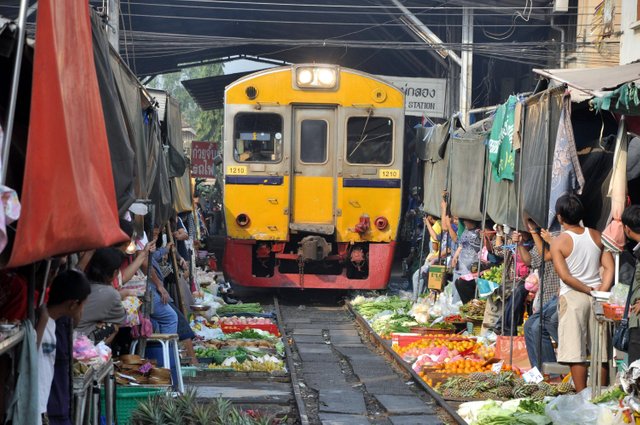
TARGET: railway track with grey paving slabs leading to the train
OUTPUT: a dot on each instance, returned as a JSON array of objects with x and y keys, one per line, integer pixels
[{"x": 342, "y": 373}]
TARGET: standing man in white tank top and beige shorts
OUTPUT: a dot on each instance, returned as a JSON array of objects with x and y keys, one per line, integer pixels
[{"x": 577, "y": 256}]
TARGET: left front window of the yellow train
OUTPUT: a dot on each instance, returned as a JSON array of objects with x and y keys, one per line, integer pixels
[{"x": 258, "y": 137}]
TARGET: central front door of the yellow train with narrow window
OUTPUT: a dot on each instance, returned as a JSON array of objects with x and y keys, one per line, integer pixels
[{"x": 313, "y": 170}]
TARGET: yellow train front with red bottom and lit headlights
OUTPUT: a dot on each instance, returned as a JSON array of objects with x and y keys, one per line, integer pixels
[{"x": 313, "y": 178}]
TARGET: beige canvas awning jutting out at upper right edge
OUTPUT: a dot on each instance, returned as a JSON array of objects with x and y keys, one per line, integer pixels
[{"x": 594, "y": 81}]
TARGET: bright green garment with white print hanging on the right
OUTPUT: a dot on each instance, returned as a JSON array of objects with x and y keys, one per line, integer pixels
[{"x": 501, "y": 152}]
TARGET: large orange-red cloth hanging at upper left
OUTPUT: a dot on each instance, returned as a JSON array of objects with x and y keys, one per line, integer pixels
[{"x": 68, "y": 196}]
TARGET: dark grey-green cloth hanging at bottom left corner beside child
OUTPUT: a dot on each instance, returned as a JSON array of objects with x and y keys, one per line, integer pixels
[{"x": 22, "y": 408}]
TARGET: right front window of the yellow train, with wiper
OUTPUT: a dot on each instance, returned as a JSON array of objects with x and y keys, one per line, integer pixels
[{"x": 369, "y": 140}]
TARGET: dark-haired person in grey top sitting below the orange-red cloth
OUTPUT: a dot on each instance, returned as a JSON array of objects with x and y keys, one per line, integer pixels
[{"x": 103, "y": 312}]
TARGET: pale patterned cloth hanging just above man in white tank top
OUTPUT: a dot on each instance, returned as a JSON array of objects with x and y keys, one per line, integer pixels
[{"x": 566, "y": 173}]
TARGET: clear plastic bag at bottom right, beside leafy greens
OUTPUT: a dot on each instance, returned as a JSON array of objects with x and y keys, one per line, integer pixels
[{"x": 573, "y": 409}]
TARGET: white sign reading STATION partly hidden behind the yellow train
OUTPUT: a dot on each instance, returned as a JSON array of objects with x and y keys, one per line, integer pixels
[{"x": 422, "y": 96}]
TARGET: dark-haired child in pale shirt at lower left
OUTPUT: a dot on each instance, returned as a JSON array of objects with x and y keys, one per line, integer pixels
[{"x": 67, "y": 294}]
